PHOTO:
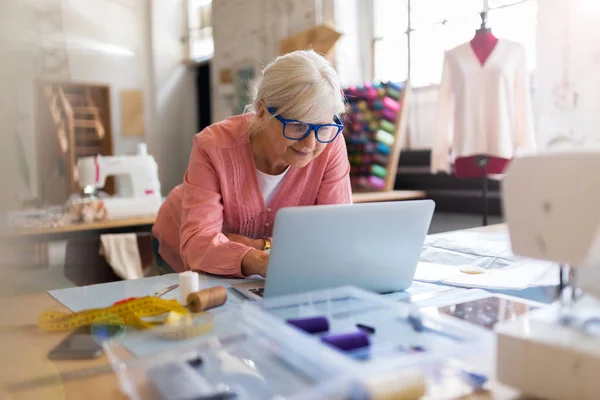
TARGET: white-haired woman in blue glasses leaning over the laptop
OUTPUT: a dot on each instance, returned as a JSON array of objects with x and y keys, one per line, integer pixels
[{"x": 288, "y": 151}]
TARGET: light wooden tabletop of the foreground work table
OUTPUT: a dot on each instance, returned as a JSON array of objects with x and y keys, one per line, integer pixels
[{"x": 23, "y": 350}]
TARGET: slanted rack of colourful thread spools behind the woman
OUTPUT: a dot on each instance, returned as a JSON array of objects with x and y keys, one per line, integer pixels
[{"x": 375, "y": 129}]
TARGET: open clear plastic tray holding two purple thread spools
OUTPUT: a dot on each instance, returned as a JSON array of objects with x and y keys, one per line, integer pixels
[{"x": 397, "y": 335}]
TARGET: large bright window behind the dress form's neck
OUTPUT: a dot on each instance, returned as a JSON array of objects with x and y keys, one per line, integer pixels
[{"x": 411, "y": 44}]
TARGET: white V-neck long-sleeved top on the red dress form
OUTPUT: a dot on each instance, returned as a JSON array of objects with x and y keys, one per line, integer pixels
[{"x": 483, "y": 109}]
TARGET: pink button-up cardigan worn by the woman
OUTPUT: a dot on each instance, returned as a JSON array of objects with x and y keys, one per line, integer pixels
[{"x": 220, "y": 194}]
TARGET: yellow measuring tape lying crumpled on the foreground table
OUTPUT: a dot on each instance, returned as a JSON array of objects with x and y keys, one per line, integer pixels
[{"x": 128, "y": 313}]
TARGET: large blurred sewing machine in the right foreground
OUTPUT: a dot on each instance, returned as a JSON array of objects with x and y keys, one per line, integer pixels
[{"x": 552, "y": 211}]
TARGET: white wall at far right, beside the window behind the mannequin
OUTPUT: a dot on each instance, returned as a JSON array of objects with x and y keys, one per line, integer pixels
[{"x": 567, "y": 77}]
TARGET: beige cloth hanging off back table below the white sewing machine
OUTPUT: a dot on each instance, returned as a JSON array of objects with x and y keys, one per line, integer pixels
[{"x": 122, "y": 253}]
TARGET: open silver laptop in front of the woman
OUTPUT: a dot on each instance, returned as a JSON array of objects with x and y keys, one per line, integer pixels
[{"x": 374, "y": 246}]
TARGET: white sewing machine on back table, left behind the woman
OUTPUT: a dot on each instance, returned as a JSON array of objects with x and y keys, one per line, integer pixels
[{"x": 138, "y": 193}]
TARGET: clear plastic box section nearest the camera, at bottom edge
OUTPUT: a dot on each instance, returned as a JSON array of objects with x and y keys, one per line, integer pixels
[{"x": 241, "y": 356}]
